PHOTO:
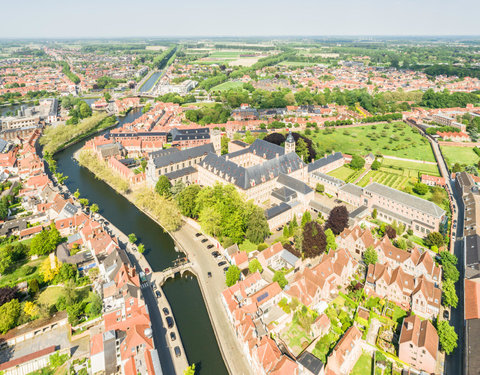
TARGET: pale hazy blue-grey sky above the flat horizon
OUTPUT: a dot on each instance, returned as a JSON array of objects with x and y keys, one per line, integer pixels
[{"x": 122, "y": 18}]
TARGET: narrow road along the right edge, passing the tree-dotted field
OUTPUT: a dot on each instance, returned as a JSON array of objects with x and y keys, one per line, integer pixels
[{"x": 454, "y": 361}]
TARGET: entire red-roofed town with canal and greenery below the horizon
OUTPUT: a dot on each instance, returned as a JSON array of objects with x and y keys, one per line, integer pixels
[{"x": 240, "y": 206}]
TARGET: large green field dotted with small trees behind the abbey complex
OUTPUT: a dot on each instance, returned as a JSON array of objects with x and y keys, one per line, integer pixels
[{"x": 396, "y": 139}]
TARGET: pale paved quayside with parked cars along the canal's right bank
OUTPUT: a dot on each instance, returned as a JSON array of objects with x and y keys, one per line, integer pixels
[{"x": 211, "y": 289}]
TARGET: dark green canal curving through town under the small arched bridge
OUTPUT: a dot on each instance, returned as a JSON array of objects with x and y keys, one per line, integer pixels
[{"x": 183, "y": 293}]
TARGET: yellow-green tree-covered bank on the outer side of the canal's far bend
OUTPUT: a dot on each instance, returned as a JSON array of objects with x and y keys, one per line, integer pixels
[{"x": 57, "y": 137}]
